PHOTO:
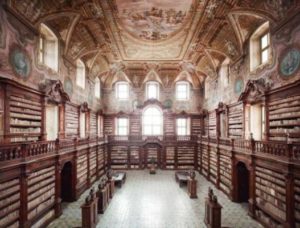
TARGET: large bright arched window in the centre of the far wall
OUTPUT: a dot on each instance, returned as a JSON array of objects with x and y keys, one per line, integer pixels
[{"x": 152, "y": 121}]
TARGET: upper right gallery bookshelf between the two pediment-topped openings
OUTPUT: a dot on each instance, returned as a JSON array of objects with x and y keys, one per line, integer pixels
[{"x": 235, "y": 120}]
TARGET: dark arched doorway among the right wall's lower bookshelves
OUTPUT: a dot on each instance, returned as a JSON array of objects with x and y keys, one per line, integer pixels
[{"x": 242, "y": 182}]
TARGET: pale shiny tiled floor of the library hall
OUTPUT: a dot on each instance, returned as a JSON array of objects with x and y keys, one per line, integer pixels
[{"x": 157, "y": 201}]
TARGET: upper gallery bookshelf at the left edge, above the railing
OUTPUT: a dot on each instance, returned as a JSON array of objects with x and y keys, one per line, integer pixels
[{"x": 24, "y": 113}]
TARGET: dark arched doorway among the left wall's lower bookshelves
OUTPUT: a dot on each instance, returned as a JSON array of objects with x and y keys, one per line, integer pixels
[{"x": 66, "y": 183}]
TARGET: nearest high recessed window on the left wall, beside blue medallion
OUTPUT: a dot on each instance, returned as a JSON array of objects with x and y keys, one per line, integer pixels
[{"x": 48, "y": 48}]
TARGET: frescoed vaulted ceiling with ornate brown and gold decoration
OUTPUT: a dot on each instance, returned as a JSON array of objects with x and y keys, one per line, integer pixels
[{"x": 138, "y": 35}]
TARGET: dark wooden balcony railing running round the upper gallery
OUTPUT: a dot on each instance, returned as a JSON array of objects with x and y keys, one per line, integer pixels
[{"x": 290, "y": 151}]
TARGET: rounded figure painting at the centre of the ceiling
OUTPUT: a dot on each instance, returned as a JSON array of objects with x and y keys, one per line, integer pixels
[{"x": 154, "y": 19}]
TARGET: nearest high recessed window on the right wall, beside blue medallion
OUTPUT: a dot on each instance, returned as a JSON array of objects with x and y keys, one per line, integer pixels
[{"x": 260, "y": 47}]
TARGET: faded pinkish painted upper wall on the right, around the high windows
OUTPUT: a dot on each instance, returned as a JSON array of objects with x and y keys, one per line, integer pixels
[{"x": 282, "y": 39}]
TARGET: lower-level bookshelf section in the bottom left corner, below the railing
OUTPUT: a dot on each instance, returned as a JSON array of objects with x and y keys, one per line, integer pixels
[{"x": 10, "y": 203}]
